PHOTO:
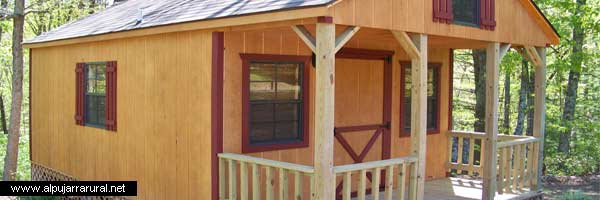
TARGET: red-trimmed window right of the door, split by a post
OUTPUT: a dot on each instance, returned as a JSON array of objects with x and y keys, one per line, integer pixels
[{"x": 433, "y": 99}]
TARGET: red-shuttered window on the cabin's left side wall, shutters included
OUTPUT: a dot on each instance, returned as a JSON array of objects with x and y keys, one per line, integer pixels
[{"x": 96, "y": 95}]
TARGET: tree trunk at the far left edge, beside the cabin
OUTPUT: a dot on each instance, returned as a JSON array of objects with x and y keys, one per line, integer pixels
[{"x": 12, "y": 150}]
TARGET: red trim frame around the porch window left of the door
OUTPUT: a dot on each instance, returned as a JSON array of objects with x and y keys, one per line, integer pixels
[{"x": 246, "y": 59}]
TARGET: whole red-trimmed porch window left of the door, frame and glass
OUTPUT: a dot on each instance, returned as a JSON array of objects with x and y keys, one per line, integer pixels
[{"x": 275, "y": 102}]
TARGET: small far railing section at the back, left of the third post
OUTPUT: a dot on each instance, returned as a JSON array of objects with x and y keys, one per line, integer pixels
[{"x": 466, "y": 165}]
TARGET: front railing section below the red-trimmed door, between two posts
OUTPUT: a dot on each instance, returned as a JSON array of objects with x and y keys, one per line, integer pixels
[{"x": 394, "y": 170}]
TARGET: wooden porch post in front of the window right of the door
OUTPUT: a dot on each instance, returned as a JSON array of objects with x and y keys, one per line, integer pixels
[{"x": 418, "y": 122}]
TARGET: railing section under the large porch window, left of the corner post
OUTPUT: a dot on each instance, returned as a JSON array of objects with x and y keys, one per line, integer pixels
[{"x": 229, "y": 164}]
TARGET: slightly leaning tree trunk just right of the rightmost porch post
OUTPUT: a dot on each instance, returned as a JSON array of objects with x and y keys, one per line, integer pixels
[{"x": 564, "y": 141}]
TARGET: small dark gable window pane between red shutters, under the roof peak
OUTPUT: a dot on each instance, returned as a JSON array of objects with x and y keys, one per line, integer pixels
[{"x": 466, "y": 12}]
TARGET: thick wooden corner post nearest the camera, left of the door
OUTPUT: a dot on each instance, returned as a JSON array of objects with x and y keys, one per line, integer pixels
[{"x": 324, "y": 110}]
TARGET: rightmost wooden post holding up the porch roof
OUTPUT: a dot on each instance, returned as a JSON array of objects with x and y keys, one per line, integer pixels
[{"x": 539, "y": 116}]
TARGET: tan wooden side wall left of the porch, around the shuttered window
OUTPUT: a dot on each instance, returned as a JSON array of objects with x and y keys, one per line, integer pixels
[{"x": 163, "y": 113}]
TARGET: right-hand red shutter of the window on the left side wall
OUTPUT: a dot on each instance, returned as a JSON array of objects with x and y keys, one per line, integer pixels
[{"x": 111, "y": 96}]
